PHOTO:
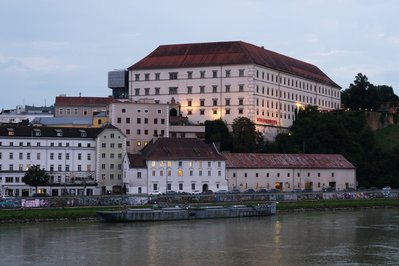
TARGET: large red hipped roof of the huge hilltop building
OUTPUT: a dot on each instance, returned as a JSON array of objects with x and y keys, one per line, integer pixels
[{"x": 228, "y": 53}]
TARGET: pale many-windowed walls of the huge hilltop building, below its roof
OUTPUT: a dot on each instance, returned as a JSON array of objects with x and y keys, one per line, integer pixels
[{"x": 269, "y": 97}]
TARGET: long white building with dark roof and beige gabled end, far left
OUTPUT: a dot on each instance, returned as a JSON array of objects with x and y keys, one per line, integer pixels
[{"x": 72, "y": 157}]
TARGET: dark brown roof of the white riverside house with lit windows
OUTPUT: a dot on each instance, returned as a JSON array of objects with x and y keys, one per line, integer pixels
[{"x": 180, "y": 149}]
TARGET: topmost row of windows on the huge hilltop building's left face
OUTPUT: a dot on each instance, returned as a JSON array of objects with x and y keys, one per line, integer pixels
[{"x": 189, "y": 75}]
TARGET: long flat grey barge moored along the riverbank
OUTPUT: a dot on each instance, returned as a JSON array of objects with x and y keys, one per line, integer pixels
[{"x": 187, "y": 213}]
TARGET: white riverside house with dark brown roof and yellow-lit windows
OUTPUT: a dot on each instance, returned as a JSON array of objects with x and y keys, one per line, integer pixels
[{"x": 172, "y": 164}]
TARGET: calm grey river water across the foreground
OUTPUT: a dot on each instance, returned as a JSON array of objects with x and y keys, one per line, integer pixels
[{"x": 365, "y": 237}]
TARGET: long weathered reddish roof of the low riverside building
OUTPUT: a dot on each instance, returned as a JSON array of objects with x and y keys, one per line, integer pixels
[{"x": 304, "y": 161}]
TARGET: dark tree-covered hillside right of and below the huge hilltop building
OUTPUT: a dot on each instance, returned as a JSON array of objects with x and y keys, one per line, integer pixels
[{"x": 374, "y": 153}]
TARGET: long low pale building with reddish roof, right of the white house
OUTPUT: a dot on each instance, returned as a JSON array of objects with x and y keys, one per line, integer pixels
[{"x": 287, "y": 172}]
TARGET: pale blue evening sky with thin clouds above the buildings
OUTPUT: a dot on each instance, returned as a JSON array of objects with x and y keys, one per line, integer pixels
[{"x": 49, "y": 48}]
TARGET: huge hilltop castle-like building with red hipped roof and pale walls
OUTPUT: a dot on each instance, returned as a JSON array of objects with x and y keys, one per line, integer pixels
[{"x": 225, "y": 80}]
